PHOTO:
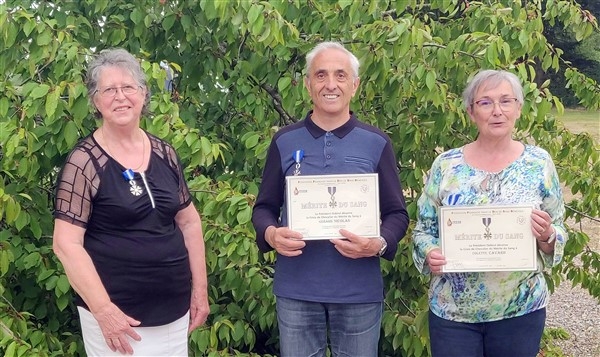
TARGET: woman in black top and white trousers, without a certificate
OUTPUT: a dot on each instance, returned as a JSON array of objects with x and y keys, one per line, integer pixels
[{"x": 126, "y": 230}]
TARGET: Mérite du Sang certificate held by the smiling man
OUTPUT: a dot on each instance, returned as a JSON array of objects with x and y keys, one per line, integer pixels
[{"x": 319, "y": 206}]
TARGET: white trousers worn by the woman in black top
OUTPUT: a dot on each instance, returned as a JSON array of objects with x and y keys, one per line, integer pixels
[{"x": 166, "y": 340}]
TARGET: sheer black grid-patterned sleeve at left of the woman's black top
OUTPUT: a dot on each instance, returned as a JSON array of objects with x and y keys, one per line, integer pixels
[{"x": 78, "y": 183}]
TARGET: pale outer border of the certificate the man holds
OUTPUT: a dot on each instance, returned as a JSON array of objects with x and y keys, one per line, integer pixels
[{"x": 289, "y": 180}]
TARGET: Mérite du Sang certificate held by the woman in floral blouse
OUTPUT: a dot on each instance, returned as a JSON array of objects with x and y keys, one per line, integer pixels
[{"x": 487, "y": 238}]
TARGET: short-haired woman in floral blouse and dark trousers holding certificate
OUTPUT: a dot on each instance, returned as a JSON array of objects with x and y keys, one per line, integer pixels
[{"x": 498, "y": 313}]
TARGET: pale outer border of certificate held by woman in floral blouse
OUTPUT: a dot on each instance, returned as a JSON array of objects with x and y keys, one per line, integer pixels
[{"x": 441, "y": 219}]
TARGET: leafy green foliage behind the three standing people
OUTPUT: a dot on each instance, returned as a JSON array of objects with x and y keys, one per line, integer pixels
[{"x": 239, "y": 68}]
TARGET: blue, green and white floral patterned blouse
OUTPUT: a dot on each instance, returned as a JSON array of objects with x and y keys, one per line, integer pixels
[{"x": 488, "y": 296}]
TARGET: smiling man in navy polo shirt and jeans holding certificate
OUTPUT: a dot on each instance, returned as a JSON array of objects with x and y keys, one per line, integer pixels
[{"x": 329, "y": 288}]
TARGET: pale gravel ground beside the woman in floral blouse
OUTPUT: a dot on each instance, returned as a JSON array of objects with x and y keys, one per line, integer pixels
[{"x": 579, "y": 314}]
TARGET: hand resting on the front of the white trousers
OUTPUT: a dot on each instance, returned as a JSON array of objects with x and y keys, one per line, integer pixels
[{"x": 117, "y": 328}]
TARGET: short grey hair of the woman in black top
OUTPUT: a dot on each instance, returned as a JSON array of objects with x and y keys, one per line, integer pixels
[{"x": 115, "y": 57}]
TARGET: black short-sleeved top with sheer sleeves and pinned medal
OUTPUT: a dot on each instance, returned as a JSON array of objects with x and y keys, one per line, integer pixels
[{"x": 131, "y": 235}]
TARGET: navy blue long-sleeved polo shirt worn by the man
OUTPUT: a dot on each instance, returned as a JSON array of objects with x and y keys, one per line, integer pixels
[{"x": 321, "y": 273}]
